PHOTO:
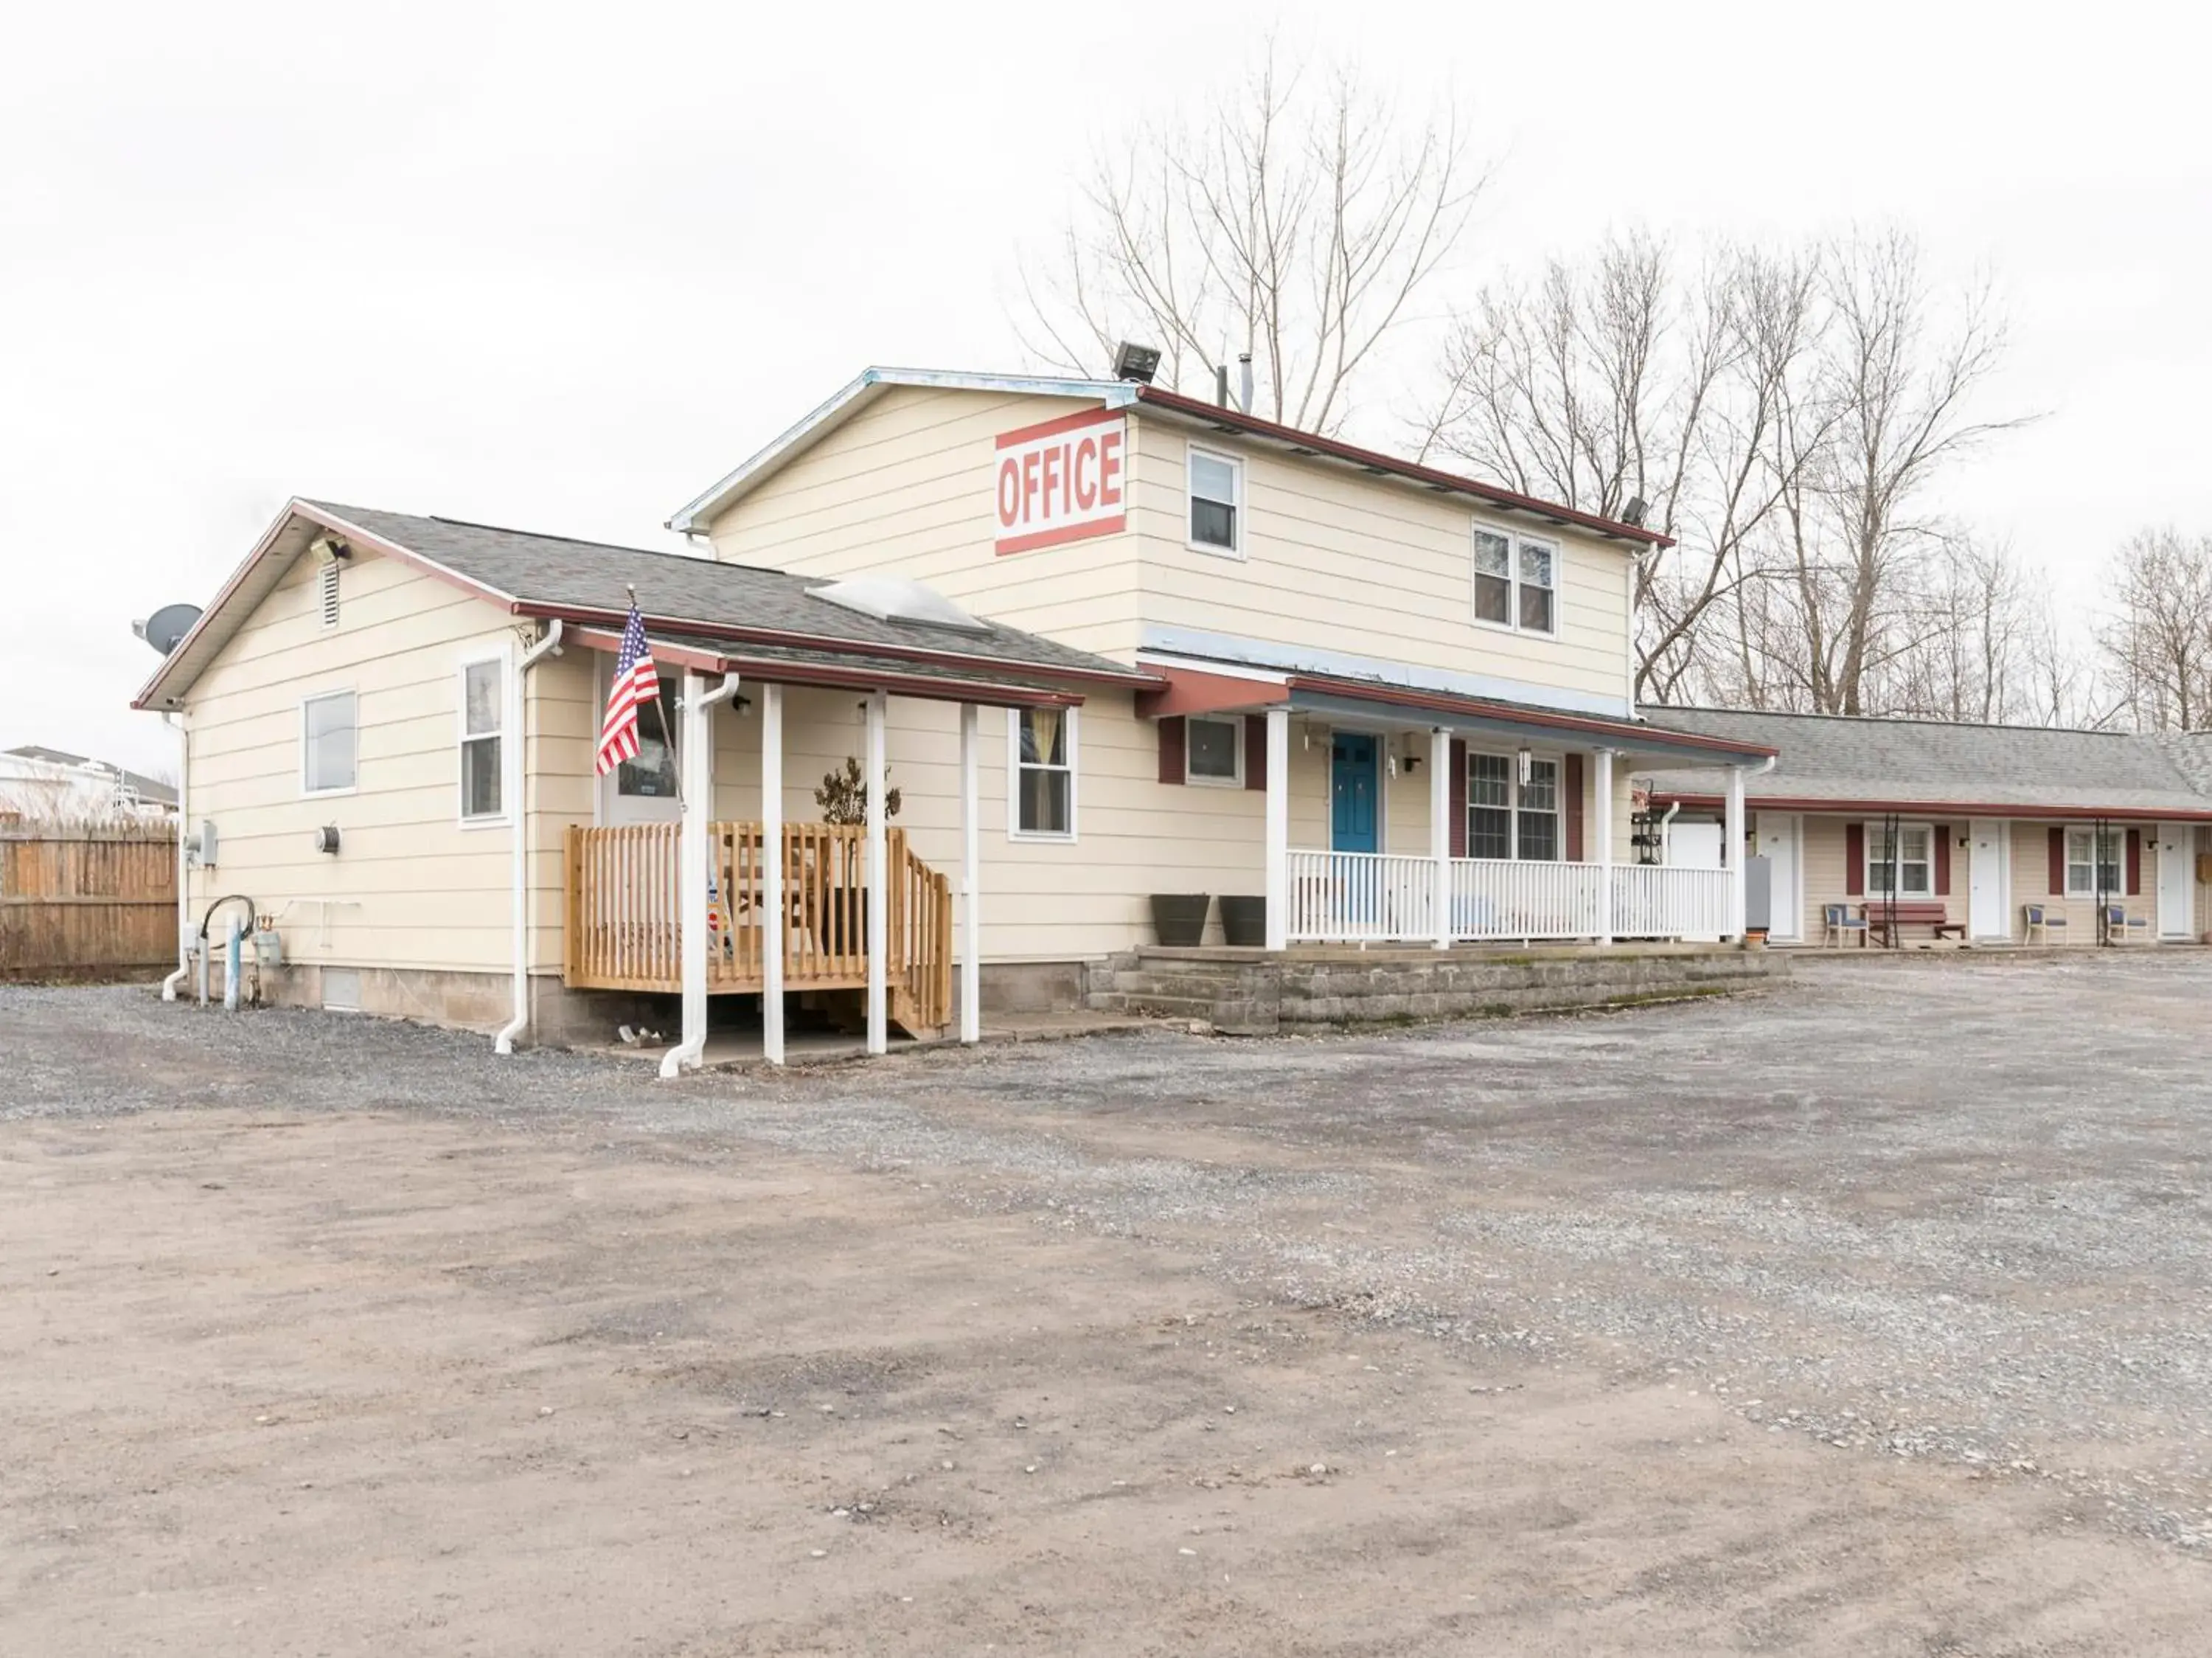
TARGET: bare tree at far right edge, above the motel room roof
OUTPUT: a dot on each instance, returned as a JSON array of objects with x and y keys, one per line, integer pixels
[{"x": 2160, "y": 643}]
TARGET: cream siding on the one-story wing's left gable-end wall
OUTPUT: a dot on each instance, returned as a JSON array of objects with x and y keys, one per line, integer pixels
[{"x": 410, "y": 887}]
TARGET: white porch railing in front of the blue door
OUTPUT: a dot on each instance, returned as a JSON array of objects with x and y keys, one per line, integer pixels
[{"x": 1379, "y": 898}]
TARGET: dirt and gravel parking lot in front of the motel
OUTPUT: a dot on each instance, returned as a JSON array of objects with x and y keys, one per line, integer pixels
[{"x": 1861, "y": 1318}]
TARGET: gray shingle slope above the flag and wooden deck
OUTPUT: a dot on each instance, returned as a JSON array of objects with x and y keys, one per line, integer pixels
[{"x": 565, "y": 574}]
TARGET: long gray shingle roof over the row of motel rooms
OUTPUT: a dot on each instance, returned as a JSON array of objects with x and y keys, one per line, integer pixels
[{"x": 1957, "y": 765}]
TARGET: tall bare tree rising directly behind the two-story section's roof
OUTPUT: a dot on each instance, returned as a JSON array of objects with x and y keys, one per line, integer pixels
[{"x": 1297, "y": 222}]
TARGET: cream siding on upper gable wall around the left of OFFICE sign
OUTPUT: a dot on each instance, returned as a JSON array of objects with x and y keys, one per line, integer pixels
[{"x": 908, "y": 488}]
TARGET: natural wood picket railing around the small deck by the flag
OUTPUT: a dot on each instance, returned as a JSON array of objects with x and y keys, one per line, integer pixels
[{"x": 623, "y": 902}]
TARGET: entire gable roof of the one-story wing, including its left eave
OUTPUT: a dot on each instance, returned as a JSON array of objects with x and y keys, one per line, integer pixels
[{"x": 589, "y": 583}]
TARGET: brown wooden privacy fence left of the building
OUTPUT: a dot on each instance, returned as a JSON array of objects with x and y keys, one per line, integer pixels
[{"x": 87, "y": 902}]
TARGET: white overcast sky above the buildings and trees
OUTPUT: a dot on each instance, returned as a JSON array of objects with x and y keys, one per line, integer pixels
[{"x": 501, "y": 265}]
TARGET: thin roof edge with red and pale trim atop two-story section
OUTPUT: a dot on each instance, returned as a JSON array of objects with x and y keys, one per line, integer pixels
[{"x": 698, "y": 515}]
